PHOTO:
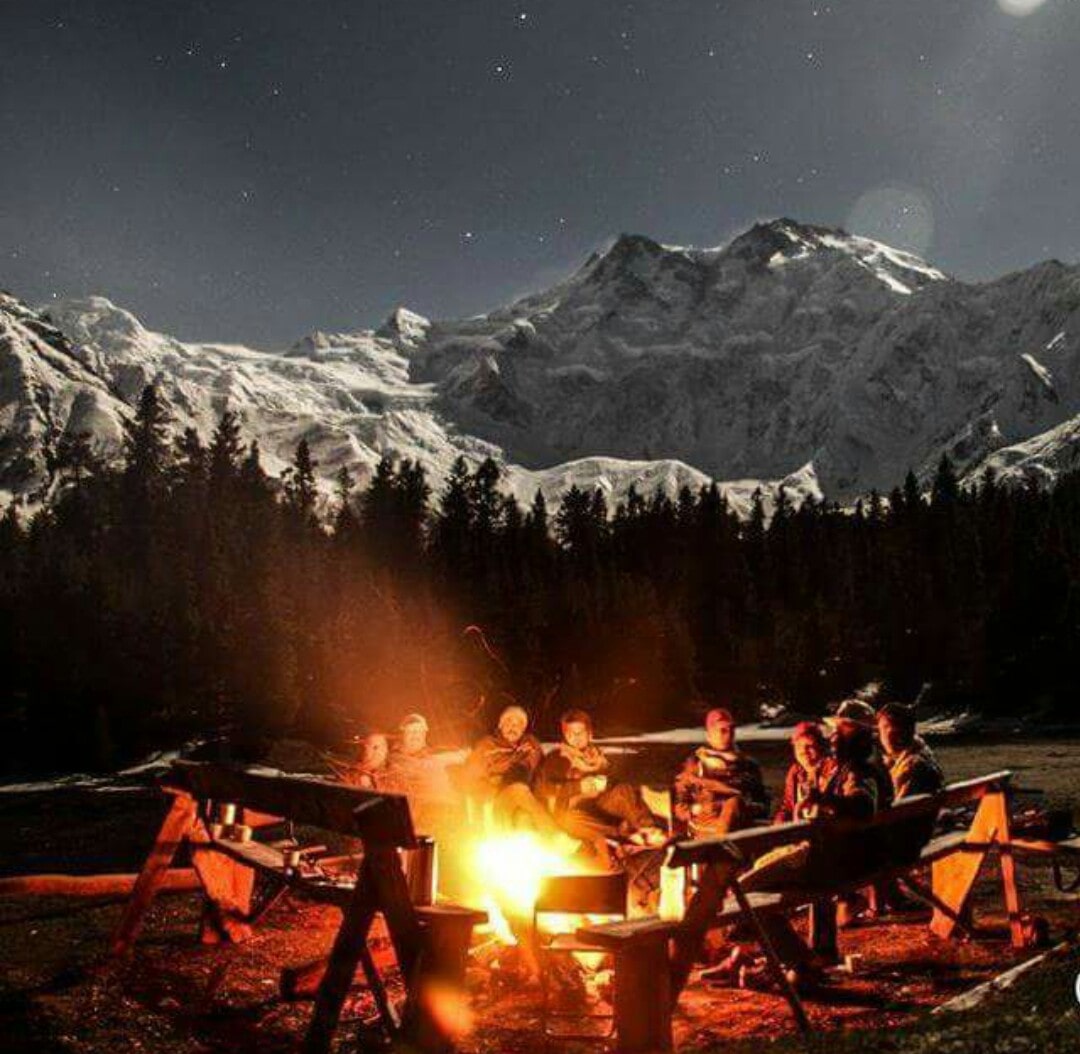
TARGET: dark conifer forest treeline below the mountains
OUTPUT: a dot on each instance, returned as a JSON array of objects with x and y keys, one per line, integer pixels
[{"x": 186, "y": 591}]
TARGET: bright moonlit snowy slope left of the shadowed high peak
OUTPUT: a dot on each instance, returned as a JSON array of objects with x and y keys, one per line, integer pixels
[{"x": 348, "y": 395}]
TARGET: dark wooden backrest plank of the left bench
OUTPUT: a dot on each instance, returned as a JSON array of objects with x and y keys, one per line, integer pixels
[{"x": 375, "y": 818}]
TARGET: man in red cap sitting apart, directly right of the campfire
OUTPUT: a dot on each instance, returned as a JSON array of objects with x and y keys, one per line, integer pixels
[{"x": 720, "y": 788}]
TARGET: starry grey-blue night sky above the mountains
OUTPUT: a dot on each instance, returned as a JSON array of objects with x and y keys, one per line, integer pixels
[{"x": 251, "y": 170}]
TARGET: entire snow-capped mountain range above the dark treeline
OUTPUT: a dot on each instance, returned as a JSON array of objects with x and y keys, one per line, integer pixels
[{"x": 803, "y": 356}]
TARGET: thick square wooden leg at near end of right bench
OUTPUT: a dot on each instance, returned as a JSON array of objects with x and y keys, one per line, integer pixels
[{"x": 643, "y": 998}]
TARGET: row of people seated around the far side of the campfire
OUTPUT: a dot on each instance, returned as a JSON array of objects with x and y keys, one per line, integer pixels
[{"x": 574, "y": 794}]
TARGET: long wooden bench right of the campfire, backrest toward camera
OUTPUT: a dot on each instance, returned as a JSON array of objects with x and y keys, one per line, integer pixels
[{"x": 646, "y": 948}]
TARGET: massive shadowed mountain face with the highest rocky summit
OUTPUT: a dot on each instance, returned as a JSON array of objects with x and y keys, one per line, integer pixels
[{"x": 792, "y": 344}]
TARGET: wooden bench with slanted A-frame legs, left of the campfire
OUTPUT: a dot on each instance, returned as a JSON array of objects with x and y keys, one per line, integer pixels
[{"x": 430, "y": 943}]
